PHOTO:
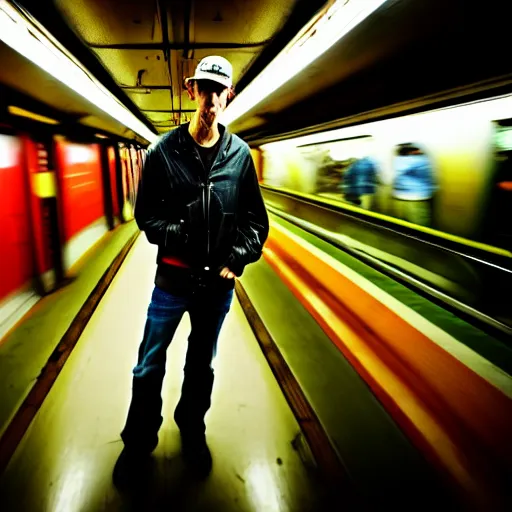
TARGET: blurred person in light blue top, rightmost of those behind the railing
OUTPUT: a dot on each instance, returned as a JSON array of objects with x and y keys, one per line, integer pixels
[{"x": 414, "y": 185}]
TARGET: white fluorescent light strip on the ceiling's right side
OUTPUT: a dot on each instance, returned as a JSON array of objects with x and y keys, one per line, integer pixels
[{"x": 313, "y": 40}]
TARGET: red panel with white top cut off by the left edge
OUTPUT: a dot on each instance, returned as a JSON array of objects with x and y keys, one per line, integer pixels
[{"x": 16, "y": 254}]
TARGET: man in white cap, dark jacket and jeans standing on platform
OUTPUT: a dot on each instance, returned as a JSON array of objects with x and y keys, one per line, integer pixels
[{"x": 199, "y": 201}]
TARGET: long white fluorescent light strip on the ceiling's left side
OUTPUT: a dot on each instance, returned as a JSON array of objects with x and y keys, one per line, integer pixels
[{"x": 23, "y": 37}]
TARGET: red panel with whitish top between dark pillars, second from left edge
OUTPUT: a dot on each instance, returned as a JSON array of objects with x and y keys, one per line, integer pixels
[{"x": 79, "y": 167}]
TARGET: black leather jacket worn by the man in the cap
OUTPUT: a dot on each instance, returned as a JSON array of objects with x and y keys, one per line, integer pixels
[{"x": 206, "y": 220}]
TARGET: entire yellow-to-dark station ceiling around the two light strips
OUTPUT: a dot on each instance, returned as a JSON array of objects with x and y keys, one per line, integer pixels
[{"x": 142, "y": 51}]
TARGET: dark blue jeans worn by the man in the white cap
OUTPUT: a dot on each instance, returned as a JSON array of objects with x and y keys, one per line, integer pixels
[{"x": 207, "y": 307}]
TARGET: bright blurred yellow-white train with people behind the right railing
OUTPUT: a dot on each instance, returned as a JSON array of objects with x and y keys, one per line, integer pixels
[{"x": 449, "y": 169}]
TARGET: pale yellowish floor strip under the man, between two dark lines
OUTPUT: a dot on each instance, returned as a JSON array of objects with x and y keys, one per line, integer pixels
[{"x": 64, "y": 463}]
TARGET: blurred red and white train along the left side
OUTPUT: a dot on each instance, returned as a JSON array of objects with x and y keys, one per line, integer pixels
[{"x": 59, "y": 197}]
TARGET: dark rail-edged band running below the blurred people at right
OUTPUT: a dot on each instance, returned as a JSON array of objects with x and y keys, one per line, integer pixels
[{"x": 467, "y": 281}]
